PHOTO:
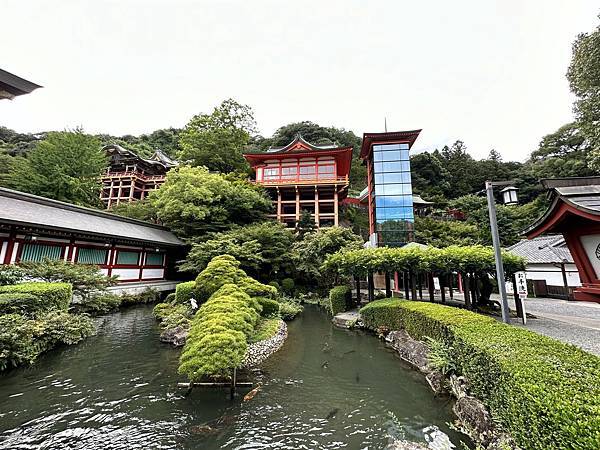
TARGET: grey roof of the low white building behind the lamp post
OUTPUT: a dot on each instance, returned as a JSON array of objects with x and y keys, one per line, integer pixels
[{"x": 549, "y": 249}]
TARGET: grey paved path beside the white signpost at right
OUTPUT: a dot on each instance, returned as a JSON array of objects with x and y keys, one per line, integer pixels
[{"x": 576, "y": 323}]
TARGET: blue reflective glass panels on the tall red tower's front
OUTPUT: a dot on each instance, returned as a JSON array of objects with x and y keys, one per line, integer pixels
[{"x": 393, "y": 205}]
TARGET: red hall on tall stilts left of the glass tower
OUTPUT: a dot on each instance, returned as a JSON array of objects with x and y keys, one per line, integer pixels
[{"x": 304, "y": 177}]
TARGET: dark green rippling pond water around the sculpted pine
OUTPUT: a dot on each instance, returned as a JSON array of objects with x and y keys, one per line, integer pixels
[{"x": 326, "y": 388}]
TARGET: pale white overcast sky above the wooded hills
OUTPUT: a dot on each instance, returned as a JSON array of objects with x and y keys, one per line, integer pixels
[{"x": 491, "y": 73}]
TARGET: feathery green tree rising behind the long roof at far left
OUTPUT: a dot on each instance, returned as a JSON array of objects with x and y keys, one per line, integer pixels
[{"x": 65, "y": 166}]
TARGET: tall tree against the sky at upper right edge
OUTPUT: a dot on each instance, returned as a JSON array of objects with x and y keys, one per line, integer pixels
[{"x": 584, "y": 81}]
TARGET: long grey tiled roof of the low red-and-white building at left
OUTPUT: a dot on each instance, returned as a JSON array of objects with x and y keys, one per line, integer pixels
[{"x": 18, "y": 208}]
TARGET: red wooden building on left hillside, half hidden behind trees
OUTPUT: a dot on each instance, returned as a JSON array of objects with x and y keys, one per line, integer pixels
[{"x": 130, "y": 177}]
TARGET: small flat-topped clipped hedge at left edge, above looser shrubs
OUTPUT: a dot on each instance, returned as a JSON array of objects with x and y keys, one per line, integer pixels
[{"x": 49, "y": 296}]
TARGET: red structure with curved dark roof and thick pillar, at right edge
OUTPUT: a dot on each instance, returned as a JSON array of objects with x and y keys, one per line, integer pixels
[{"x": 575, "y": 213}]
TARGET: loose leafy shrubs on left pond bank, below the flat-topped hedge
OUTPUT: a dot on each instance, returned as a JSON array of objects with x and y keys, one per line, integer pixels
[{"x": 22, "y": 339}]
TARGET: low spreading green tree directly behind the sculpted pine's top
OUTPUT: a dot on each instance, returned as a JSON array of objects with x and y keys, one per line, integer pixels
[{"x": 261, "y": 248}]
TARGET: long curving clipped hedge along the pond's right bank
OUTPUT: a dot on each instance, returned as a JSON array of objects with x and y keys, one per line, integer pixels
[{"x": 546, "y": 394}]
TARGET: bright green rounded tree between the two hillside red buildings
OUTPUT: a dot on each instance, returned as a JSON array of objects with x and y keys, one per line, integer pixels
[{"x": 193, "y": 201}]
